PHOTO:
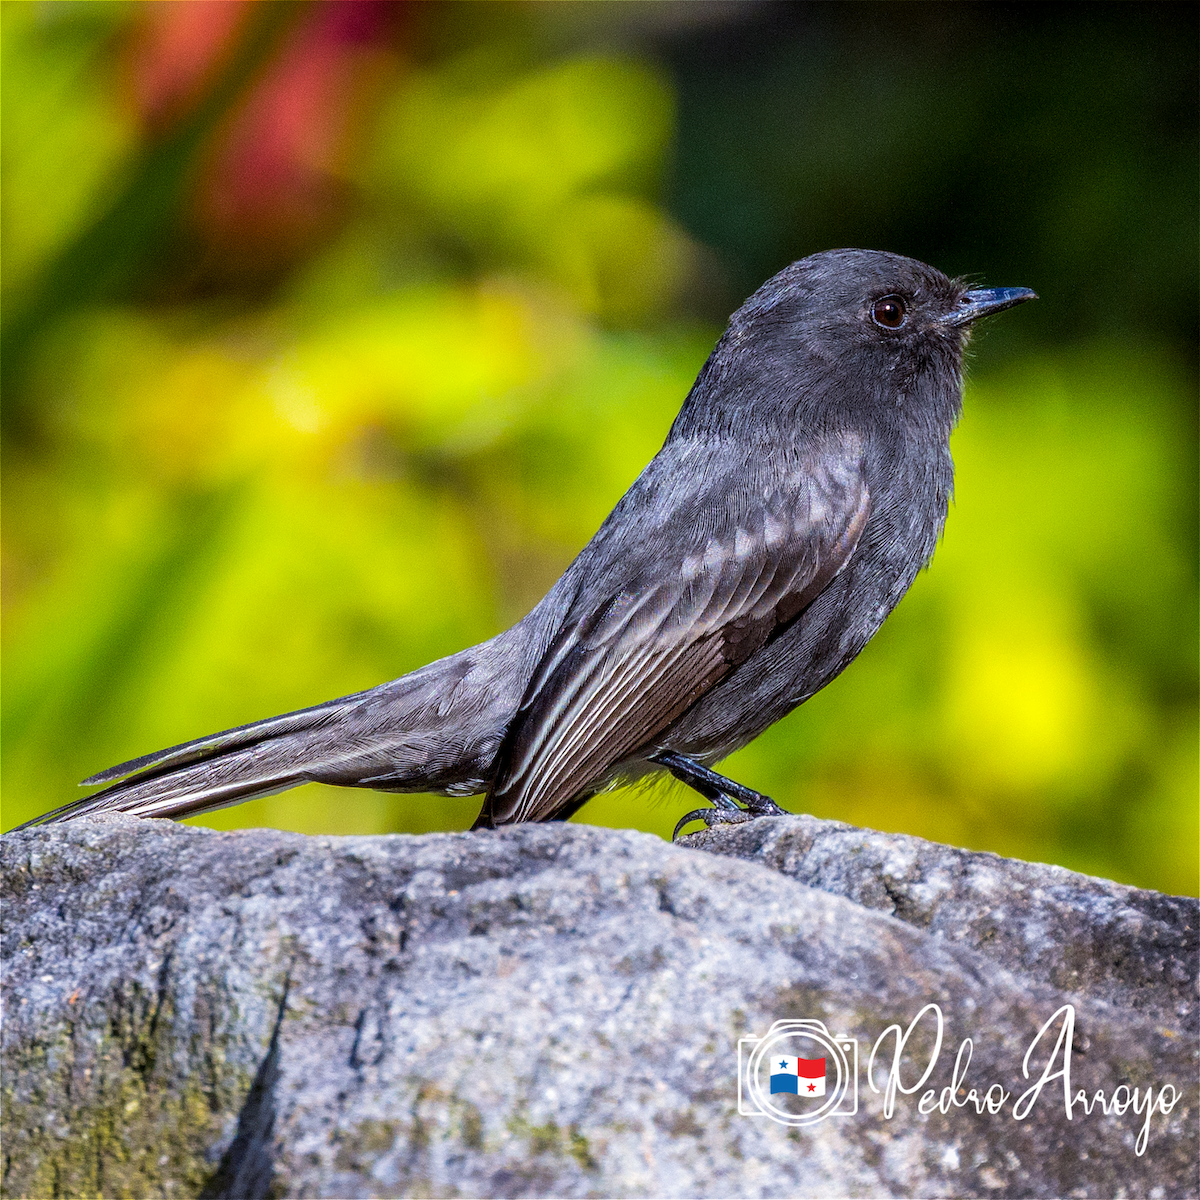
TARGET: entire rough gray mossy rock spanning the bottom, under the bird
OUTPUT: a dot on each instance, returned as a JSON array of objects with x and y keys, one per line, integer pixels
[{"x": 556, "y": 1011}]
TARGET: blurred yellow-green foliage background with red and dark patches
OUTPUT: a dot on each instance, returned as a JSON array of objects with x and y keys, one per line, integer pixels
[{"x": 333, "y": 331}]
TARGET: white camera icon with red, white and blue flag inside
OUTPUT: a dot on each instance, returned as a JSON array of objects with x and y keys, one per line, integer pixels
[{"x": 797, "y": 1075}]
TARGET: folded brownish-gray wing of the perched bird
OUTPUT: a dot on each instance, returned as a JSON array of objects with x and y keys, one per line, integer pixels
[{"x": 633, "y": 656}]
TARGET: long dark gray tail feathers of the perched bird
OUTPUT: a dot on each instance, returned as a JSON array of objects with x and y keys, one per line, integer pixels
[{"x": 436, "y": 730}]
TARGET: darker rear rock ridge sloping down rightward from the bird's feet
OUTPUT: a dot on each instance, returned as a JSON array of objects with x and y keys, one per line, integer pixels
[{"x": 1133, "y": 949}]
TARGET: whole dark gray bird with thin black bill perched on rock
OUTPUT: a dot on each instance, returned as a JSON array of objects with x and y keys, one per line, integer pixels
[{"x": 802, "y": 488}]
